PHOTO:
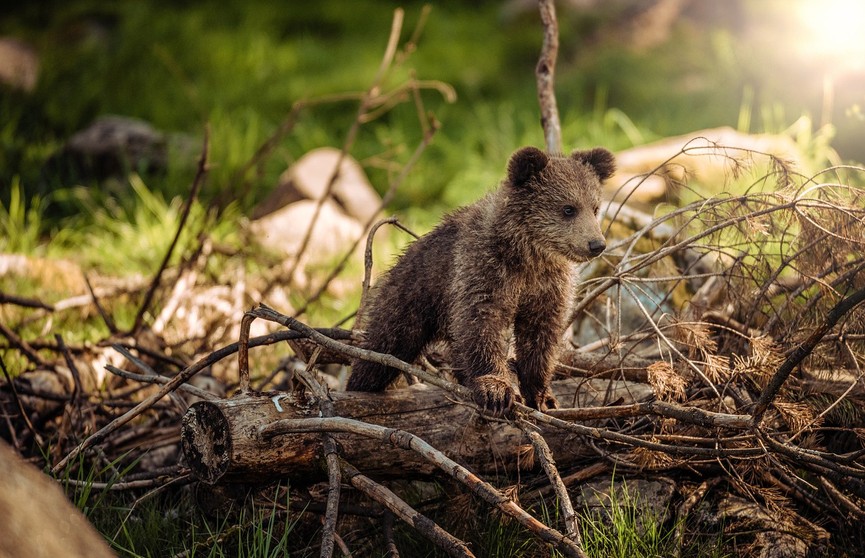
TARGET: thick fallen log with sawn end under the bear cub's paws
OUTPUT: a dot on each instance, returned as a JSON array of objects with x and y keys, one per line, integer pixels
[{"x": 222, "y": 440}]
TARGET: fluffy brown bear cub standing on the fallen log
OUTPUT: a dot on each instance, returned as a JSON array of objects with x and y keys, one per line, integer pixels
[{"x": 504, "y": 261}]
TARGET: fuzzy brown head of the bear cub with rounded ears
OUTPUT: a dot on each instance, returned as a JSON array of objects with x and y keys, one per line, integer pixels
[{"x": 556, "y": 200}]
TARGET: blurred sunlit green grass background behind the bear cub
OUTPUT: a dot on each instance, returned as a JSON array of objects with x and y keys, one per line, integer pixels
[{"x": 623, "y": 78}]
